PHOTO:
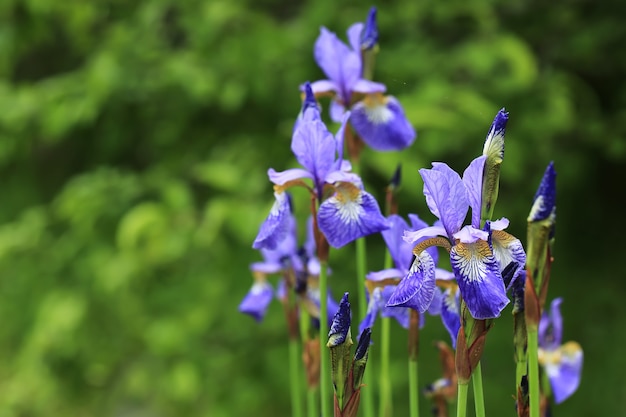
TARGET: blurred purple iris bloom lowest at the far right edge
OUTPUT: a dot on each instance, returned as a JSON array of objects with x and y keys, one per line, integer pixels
[{"x": 562, "y": 363}]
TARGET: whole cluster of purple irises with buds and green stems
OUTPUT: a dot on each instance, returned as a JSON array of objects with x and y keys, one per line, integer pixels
[{"x": 488, "y": 268}]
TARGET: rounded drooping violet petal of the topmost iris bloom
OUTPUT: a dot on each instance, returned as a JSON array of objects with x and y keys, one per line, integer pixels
[{"x": 381, "y": 123}]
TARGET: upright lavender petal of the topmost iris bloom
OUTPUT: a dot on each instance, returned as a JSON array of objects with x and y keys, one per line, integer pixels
[{"x": 338, "y": 61}]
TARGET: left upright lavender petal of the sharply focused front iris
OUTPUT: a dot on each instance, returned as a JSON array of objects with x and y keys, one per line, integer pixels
[{"x": 446, "y": 196}]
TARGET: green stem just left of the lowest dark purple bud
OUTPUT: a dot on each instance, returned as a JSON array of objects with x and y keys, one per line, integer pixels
[{"x": 325, "y": 383}]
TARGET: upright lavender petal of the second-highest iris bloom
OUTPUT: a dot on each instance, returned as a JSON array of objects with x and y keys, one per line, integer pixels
[{"x": 315, "y": 148}]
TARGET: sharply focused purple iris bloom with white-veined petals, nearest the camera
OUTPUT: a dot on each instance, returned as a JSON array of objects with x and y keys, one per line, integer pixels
[{"x": 477, "y": 256}]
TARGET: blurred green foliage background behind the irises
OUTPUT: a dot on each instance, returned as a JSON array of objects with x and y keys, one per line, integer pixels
[{"x": 134, "y": 142}]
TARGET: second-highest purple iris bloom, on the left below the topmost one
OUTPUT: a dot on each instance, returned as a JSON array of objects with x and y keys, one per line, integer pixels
[{"x": 348, "y": 212}]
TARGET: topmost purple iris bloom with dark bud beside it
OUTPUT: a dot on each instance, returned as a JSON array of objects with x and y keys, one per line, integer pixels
[{"x": 379, "y": 120}]
